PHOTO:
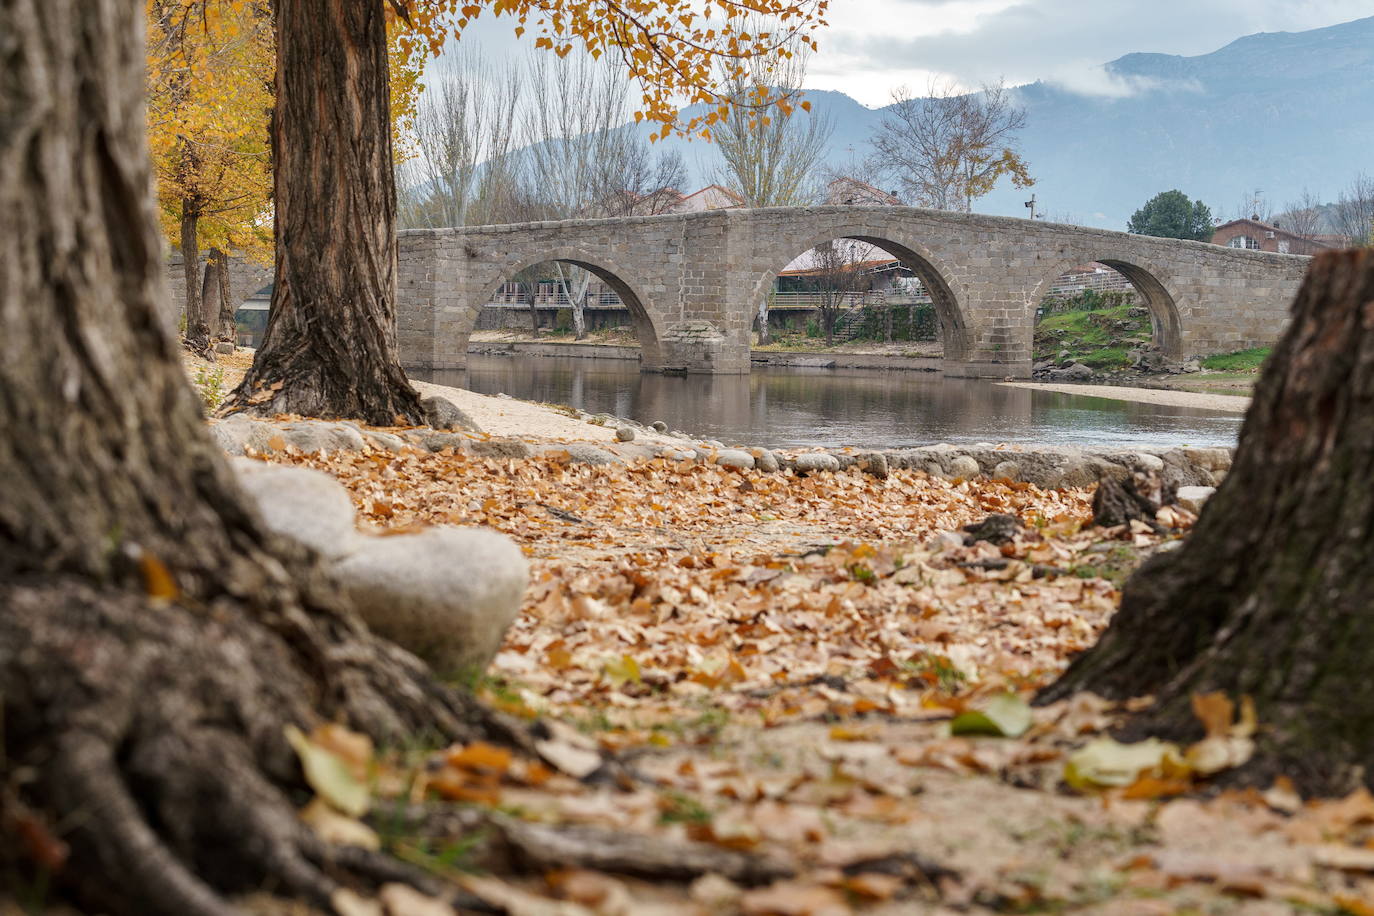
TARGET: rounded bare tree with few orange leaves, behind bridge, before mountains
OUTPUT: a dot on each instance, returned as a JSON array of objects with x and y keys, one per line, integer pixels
[{"x": 950, "y": 148}]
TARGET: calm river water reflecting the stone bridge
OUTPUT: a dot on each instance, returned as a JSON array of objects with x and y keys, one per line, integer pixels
[{"x": 776, "y": 407}]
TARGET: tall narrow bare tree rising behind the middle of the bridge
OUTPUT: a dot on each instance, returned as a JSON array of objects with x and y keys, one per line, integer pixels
[{"x": 767, "y": 156}]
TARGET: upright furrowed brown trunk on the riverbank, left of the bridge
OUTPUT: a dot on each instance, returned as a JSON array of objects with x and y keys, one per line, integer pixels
[{"x": 330, "y": 341}]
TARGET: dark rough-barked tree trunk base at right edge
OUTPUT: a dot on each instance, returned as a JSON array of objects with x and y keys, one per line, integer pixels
[{"x": 1272, "y": 595}]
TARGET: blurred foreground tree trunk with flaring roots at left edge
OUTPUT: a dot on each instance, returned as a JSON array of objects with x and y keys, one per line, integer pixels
[{"x": 155, "y": 639}]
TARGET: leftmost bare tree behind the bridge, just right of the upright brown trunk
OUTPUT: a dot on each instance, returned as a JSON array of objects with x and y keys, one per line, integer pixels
[{"x": 466, "y": 131}]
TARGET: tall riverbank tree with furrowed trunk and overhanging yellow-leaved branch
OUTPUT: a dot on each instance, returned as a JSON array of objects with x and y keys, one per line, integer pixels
[{"x": 330, "y": 344}]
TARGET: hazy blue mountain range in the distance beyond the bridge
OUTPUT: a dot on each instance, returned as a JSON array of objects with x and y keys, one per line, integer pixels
[{"x": 1273, "y": 112}]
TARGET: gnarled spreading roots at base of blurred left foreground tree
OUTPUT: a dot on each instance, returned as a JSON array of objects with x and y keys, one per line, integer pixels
[{"x": 152, "y": 741}]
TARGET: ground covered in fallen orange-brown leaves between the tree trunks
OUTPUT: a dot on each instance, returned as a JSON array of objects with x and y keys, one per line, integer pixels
[{"x": 821, "y": 672}]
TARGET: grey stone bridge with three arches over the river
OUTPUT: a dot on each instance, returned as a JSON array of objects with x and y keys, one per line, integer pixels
[{"x": 695, "y": 282}]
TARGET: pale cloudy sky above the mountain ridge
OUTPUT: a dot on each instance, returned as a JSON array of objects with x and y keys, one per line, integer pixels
[{"x": 876, "y": 46}]
